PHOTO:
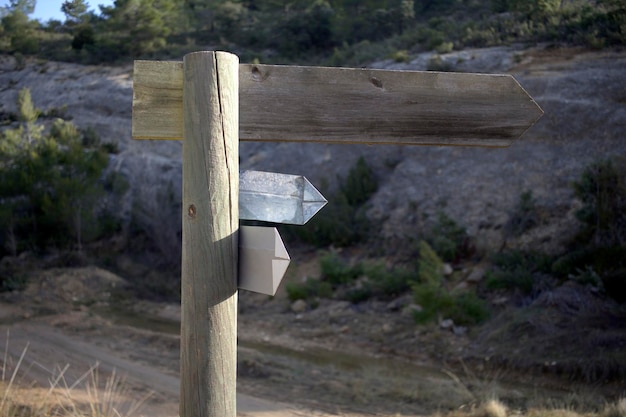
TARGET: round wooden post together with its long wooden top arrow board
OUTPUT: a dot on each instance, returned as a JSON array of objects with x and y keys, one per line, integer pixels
[{"x": 210, "y": 101}]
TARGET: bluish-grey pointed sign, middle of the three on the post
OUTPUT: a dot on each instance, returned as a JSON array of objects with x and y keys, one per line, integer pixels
[{"x": 277, "y": 198}]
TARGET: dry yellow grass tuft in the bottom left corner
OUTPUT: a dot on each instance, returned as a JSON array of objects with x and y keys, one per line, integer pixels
[{"x": 88, "y": 396}]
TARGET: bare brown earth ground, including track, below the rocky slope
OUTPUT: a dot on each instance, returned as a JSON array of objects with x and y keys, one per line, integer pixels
[{"x": 335, "y": 359}]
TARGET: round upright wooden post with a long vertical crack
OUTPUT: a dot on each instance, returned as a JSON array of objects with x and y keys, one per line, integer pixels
[{"x": 210, "y": 228}]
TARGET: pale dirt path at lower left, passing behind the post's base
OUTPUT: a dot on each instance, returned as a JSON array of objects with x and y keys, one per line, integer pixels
[{"x": 49, "y": 349}]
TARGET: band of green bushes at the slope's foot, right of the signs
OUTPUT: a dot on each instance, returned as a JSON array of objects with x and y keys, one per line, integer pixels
[{"x": 595, "y": 258}]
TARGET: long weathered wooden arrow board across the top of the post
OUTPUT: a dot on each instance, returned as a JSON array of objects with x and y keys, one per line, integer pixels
[{"x": 345, "y": 105}]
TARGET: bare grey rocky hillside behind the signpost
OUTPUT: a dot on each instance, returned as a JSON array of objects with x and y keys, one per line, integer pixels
[{"x": 583, "y": 94}]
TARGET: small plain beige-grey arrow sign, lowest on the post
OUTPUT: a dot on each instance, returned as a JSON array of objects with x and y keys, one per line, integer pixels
[{"x": 263, "y": 259}]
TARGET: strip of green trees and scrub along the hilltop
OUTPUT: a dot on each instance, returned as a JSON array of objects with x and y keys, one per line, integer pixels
[{"x": 336, "y": 32}]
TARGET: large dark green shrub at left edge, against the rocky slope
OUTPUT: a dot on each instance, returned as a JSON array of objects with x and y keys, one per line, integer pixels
[{"x": 50, "y": 185}]
